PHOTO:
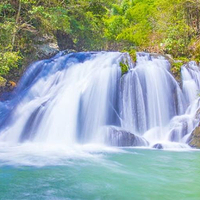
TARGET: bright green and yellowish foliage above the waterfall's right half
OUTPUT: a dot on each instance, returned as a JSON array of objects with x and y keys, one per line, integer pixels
[{"x": 162, "y": 26}]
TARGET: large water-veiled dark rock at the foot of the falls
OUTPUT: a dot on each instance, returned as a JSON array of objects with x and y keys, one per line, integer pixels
[{"x": 122, "y": 138}]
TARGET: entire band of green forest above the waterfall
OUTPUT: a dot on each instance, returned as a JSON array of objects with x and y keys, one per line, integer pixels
[{"x": 161, "y": 26}]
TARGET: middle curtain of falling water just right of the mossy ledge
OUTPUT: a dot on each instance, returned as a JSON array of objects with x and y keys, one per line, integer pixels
[{"x": 151, "y": 93}]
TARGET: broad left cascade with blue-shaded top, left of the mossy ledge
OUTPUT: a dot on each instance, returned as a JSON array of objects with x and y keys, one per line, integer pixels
[{"x": 65, "y": 99}]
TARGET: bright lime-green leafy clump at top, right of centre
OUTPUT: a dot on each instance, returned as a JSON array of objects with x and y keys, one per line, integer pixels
[{"x": 131, "y": 23}]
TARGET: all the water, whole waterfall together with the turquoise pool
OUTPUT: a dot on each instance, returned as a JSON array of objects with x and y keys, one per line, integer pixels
[{"x": 58, "y": 126}]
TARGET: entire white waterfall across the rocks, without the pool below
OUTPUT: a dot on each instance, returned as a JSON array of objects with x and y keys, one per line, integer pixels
[{"x": 83, "y": 98}]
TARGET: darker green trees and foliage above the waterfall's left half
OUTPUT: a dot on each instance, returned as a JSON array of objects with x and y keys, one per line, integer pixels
[{"x": 23, "y": 21}]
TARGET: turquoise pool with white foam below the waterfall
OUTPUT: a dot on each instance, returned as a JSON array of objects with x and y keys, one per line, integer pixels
[{"x": 59, "y": 173}]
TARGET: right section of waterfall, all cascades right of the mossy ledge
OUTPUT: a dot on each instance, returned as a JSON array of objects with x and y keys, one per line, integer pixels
[{"x": 155, "y": 106}]
